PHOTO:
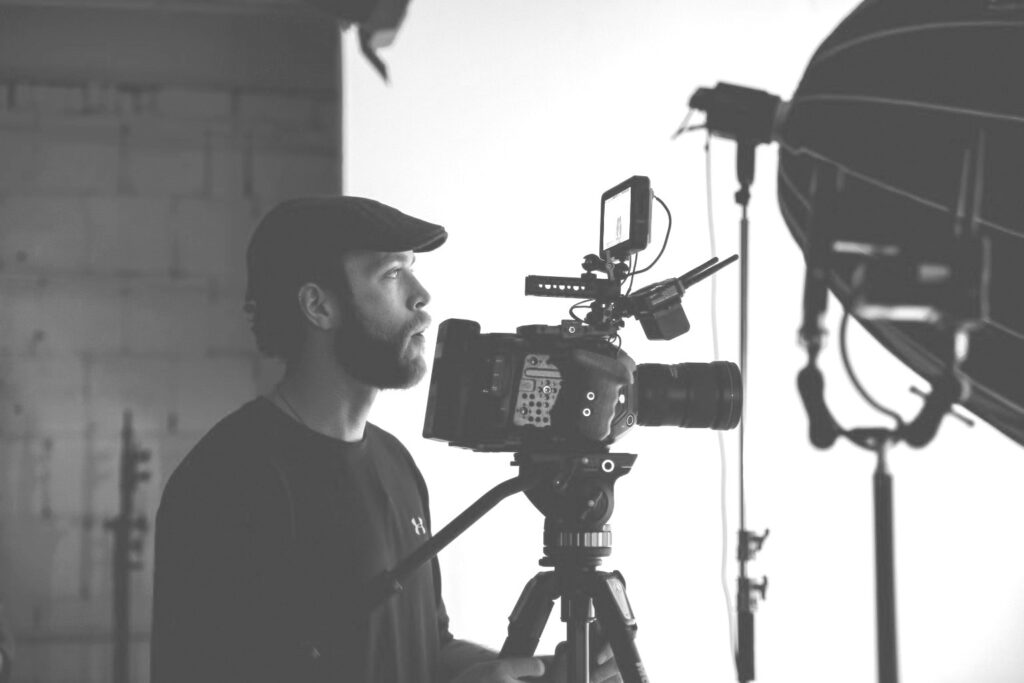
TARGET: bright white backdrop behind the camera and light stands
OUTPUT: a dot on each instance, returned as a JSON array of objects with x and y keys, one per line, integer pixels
[{"x": 506, "y": 122}]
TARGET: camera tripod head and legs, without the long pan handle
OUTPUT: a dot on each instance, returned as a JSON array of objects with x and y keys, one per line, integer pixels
[{"x": 577, "y": 507}]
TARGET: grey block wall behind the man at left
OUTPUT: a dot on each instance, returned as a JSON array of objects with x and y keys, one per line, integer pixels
[{"x": 127, "y": 196}]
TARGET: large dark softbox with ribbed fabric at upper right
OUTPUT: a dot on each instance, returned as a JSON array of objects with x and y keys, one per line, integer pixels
[{"x": 894, "y": 97}]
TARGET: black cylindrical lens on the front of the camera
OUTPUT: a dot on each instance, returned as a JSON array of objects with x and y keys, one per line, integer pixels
[{"x": 690, "y": 395}]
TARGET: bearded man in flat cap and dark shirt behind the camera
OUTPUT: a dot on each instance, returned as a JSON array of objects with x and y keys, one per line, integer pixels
[{"x": 275, "y": 523}]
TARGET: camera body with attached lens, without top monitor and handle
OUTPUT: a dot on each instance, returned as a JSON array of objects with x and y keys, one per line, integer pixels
[{"x": 565, "y": 390}]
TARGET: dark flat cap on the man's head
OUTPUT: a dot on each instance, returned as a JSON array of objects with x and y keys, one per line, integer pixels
[{"x": 303, "y": 237}]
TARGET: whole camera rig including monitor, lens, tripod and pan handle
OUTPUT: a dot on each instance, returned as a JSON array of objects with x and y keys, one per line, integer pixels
[{"x": 560, "y": 397}]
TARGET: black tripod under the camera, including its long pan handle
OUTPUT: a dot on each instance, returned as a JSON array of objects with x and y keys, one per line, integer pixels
[{"x": 576, "y": 495}]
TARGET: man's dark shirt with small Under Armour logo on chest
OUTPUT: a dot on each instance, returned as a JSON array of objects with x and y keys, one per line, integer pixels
[{"x": 267, "y": 537}]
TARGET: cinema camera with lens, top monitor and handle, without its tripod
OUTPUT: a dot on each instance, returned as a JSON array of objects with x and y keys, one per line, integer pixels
[{"x": 571, "y": 389}]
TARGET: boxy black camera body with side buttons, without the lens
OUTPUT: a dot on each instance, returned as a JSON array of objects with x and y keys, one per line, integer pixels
[{"x": 544, "y": 389}]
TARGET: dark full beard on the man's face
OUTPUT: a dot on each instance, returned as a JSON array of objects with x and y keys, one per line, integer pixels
[{"x": 379, "y": 359}]
